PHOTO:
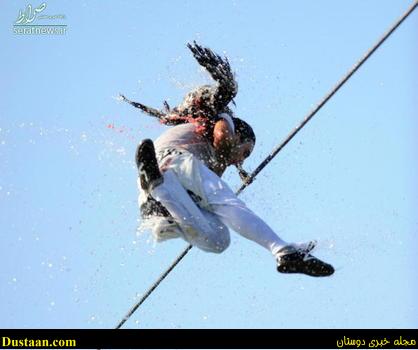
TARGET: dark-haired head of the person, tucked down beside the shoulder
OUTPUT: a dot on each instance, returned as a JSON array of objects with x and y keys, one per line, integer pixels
[{"x": 246, "y": 141}]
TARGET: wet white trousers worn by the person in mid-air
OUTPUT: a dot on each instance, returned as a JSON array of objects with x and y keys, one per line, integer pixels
[{"x": 205, "y": 224}]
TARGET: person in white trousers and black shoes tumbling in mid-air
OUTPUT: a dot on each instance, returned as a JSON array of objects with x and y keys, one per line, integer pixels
[{"x": 182, "y": 194}]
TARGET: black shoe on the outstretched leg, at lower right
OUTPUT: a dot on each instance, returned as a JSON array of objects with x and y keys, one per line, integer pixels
[{"x": 294, "y": 259}]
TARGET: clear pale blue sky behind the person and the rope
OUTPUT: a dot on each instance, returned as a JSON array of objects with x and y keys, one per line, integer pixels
[{"x": 71, "y": 256}]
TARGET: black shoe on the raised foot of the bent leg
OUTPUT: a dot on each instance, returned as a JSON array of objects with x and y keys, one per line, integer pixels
[{"x": 149, "y": 172}]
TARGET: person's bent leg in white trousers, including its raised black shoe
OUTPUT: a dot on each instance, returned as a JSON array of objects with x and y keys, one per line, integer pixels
[{"x": 164, "y": 199}]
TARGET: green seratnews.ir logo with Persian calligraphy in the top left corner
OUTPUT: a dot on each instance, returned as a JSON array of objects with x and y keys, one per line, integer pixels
[{"x": 33, "y": 21}]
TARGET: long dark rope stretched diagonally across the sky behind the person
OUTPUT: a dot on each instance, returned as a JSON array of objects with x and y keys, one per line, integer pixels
[{"x": 275, "y": 151}]
